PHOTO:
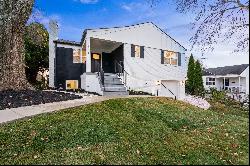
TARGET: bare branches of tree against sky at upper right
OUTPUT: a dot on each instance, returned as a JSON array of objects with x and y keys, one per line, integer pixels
[{"x": 216, "y": 21}]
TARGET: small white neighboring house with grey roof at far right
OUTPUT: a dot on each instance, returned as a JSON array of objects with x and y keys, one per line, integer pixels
[{"x": 232, "y": 78}]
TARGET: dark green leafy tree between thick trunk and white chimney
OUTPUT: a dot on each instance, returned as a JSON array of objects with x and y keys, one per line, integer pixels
[{"x": 36, "y": 50}]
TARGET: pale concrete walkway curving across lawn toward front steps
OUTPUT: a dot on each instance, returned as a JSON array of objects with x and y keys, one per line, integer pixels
[{"x": 12, "y": 114}]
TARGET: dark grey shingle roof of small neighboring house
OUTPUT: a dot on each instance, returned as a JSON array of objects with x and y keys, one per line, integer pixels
[{"x": 236, "y": 69}]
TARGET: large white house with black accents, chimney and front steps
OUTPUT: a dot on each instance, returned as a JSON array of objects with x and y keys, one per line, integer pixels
[{"x": 111, "y": 61}]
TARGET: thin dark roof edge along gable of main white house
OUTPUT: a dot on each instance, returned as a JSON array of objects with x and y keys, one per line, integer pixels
[{"x": 85, "y": 31}]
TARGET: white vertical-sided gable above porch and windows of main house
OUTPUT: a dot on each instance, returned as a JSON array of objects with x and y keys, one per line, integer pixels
[{"x": 146, "y": 34}]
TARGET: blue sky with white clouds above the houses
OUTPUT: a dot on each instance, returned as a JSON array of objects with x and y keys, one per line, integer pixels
[{"x": 74, "y": 16}]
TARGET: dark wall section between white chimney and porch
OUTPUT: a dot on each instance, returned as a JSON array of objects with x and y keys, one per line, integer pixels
[{"x": 66, "y": 69}]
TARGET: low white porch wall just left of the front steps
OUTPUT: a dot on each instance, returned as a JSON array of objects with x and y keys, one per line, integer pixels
[{"x": 90, "y": 83}]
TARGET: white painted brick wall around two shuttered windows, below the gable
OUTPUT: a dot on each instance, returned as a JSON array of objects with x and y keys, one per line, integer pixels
[{"x": 145, "y": 72}]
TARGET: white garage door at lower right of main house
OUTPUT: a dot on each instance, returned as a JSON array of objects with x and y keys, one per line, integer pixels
[{"x": 169, "y": 89}]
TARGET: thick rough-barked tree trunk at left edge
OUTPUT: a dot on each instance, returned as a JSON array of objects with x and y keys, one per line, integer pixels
[{"x": 14, "y": 15}]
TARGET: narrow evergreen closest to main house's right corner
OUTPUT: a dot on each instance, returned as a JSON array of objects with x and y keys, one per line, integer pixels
[{"x": 190, "y": 83}]
